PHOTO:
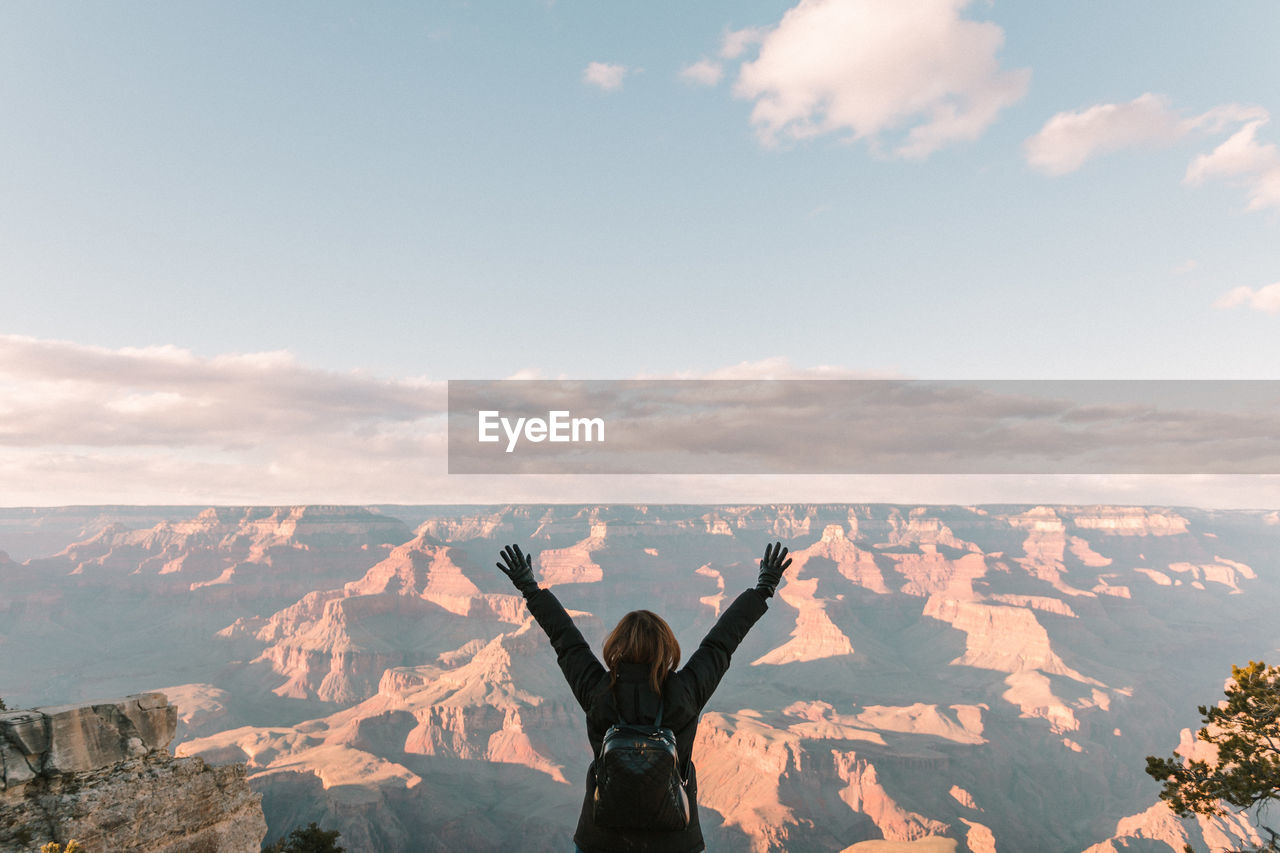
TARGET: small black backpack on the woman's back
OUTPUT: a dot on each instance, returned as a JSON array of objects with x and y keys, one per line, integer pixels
[{"x": 638, "y": 782}]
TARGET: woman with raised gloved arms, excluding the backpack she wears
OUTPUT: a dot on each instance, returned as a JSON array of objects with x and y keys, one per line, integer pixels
[{"x": 639, "y": 682}]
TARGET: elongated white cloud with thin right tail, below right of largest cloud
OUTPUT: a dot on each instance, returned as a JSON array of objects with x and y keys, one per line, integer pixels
[{"x": 1069, "y": 139}]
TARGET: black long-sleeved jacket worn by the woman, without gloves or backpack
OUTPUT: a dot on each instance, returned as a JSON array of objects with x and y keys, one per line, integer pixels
[{"x": 633, "y": 699}]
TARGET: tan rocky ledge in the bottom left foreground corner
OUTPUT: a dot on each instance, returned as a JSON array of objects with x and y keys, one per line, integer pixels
[{"x": 102, "y": 774}]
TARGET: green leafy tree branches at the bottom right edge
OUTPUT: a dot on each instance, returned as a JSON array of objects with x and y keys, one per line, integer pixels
[{"x": 1246, "y": 731}]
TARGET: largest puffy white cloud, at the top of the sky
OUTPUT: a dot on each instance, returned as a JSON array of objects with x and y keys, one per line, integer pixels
[{"x": 879, "y": 67}]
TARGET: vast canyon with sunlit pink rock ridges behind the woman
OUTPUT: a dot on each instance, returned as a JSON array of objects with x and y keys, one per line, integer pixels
[{"x": 932, "y": 678}]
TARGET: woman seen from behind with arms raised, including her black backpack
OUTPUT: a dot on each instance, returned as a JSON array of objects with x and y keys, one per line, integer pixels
[{"x": 642, "y": 711}]
